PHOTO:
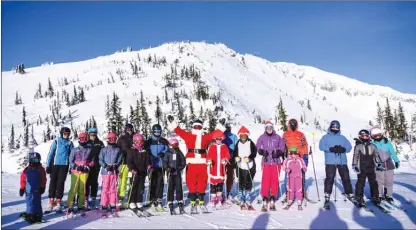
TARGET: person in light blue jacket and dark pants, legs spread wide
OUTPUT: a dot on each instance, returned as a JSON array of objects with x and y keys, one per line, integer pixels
[{"x": 335, "y": 146}]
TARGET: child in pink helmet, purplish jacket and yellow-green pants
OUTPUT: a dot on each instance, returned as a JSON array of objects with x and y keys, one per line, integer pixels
[{"x": 80, "y": 167}]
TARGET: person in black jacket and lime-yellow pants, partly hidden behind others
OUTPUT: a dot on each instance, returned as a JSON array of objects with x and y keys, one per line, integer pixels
[{"x": 125, "y": 142}]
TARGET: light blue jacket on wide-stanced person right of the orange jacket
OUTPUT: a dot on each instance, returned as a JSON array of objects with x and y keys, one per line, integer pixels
[{"x": 330, "y": 140}]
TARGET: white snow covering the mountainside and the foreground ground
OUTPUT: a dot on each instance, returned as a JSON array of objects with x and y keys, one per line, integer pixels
[{"x": 252, "y": 84}]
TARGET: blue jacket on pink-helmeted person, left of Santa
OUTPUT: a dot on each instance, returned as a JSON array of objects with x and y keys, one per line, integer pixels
[{"x": 156, "y": 147}]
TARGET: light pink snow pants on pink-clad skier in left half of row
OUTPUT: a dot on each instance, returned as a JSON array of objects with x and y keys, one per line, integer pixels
[{"x": 109, "y": 190}]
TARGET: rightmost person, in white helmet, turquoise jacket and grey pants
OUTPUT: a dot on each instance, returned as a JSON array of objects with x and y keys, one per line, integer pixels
[{"x": 389, "y": 160}]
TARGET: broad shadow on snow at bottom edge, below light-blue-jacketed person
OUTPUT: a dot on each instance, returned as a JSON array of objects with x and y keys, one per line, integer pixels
[{"x": 328, "y": 219}]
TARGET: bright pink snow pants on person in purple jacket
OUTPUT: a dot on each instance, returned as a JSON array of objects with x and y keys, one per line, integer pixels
[{"x": 270, "y": 180}]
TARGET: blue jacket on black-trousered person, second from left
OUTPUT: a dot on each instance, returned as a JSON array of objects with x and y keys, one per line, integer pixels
[{"x": 59, "y": 152}]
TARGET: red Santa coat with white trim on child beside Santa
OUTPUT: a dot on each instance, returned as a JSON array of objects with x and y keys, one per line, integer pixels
[{"x": 217, "y": 170}]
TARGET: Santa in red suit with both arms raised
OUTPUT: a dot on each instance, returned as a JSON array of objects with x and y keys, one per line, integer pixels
[{"x": 196, "y": 157}]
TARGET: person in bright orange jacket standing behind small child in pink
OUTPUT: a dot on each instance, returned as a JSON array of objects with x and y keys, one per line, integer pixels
[{"x": 293, "y": 137}]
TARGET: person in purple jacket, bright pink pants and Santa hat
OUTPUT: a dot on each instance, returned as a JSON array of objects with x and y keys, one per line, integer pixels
[{"x": 271, "y": 146}]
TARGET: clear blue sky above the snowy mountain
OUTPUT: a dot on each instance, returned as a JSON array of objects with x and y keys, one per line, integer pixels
[{"x": 374, "y": 42}]
